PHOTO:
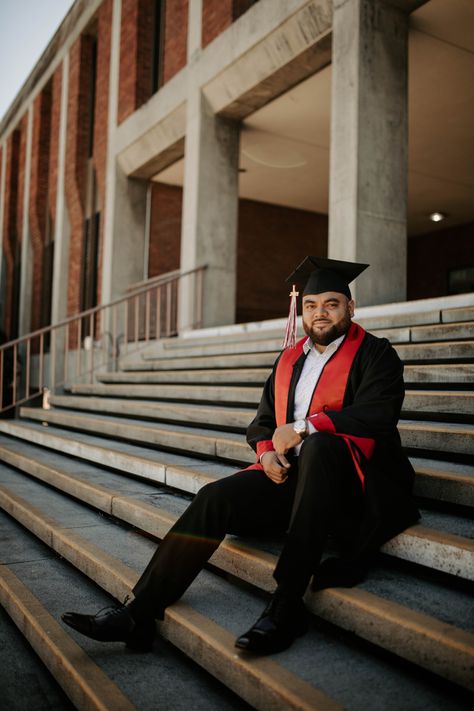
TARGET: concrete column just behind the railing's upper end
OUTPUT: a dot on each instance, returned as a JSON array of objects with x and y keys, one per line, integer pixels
[{"x": 210, "y": 211}]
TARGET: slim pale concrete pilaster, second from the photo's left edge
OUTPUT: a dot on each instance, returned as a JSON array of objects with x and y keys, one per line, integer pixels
[{"x": 26, "y": 275}]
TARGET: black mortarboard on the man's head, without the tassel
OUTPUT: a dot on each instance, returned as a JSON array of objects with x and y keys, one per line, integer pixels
[{"x": 318, "y": 274}]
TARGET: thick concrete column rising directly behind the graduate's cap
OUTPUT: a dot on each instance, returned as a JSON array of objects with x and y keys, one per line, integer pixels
[{"x": 368, "y": 168}]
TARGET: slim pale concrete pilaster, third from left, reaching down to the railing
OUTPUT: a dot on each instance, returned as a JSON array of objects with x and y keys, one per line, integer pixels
[{"x": 61, "y": 220}]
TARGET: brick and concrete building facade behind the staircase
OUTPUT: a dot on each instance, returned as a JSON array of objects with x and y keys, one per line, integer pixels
[{"x": 162, "y": 135}]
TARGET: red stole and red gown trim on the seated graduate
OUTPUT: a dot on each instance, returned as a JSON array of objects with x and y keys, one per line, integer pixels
[{"x": 328, "y": 394}]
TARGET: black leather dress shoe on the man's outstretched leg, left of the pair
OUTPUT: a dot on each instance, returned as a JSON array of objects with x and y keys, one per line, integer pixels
[{"x": 114, "y": 624}]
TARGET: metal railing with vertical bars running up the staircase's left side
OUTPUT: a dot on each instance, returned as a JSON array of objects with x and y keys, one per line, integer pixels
[{"x": 75, "y": 349}]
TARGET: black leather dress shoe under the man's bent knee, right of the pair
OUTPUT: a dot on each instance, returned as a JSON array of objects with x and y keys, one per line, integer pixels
[{"x": 283, "y": 620}]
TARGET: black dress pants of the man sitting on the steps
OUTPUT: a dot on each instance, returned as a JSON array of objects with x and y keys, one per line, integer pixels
[{"x": 322, "y": 491}]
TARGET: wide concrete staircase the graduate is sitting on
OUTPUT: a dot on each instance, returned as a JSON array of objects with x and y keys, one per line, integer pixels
[{"x": 88, "y": 486}]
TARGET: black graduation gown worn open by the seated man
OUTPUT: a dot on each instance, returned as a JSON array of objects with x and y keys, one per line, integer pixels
[{"x": 371, "y": 408}]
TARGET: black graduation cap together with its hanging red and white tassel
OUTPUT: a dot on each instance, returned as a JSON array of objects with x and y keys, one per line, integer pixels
[{"x": 317, "y": 275}]
